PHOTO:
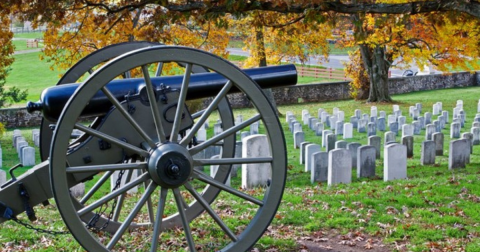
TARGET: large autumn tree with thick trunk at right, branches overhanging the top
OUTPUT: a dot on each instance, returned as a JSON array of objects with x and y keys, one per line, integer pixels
[{"x": 374, "y": 34}]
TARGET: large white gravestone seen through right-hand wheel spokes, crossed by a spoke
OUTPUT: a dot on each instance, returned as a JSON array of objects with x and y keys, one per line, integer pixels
[{"x": 259, "y": 174}]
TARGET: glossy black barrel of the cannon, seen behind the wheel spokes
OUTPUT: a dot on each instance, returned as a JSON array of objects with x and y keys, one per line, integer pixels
[{"x": 202, "y": 85}]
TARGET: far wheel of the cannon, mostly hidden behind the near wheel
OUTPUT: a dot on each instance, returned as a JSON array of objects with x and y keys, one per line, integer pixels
[{"x": 87, "y": 65}]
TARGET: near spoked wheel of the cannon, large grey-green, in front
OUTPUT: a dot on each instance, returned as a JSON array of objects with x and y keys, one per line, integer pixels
[{"x": 263, "y": 202}]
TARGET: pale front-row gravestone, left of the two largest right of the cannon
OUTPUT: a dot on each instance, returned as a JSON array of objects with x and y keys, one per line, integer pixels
[{"x": 339, "y": 167}]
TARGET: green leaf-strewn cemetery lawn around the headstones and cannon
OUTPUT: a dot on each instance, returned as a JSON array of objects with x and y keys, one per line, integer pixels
[{"x": 435, "y": 209}]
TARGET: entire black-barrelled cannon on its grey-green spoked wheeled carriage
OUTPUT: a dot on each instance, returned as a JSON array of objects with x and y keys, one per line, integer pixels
[{"x": 132, "y": 111}]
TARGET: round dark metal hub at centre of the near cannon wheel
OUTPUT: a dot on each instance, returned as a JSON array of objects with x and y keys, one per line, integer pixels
[{"x": 170, "y": 165}]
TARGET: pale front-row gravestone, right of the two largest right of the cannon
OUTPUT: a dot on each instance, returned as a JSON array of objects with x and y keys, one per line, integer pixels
[{"x": 395, "y": 162}]
